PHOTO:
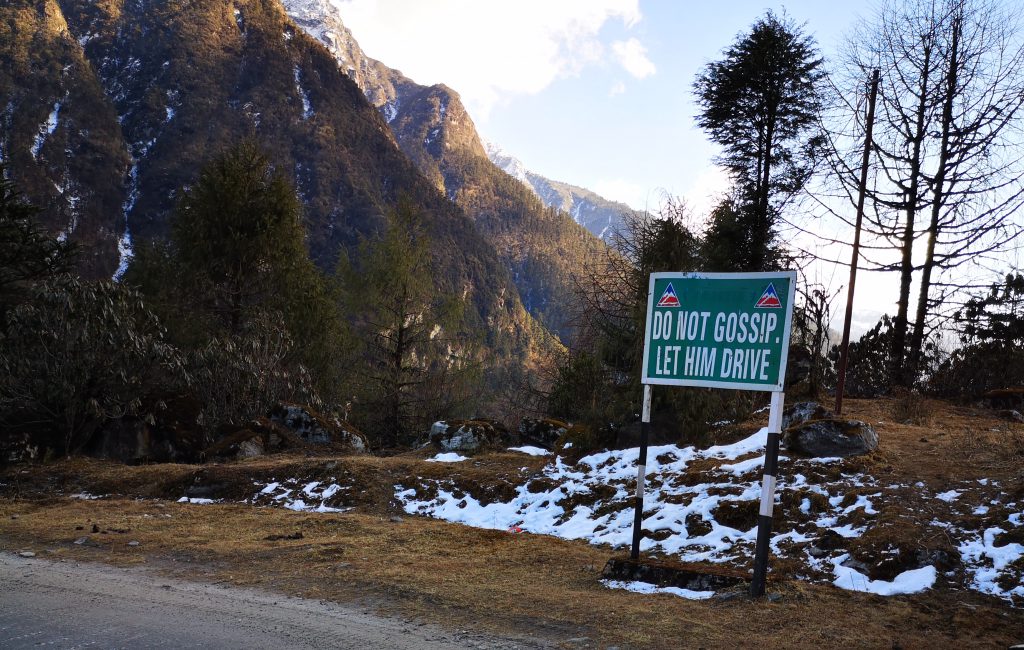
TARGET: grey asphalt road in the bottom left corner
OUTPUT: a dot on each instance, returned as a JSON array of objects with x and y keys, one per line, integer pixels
[{"x": 74, "y": 605}]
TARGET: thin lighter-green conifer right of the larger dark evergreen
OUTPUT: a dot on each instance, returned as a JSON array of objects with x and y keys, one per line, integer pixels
[{"x": 414, "y": 362}]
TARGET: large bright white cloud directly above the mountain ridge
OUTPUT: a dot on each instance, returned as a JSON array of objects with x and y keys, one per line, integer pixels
[{"x": 489, "y": 52}]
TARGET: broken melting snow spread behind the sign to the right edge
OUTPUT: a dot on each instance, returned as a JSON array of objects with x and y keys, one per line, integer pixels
[{"x": 691, "y": 518}]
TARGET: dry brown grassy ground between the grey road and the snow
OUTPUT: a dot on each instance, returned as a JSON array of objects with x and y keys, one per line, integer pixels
[{"x": 497, "y": 582}]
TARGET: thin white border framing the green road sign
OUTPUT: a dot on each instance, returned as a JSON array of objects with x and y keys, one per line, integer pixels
[{"x": 787, "y": 329}]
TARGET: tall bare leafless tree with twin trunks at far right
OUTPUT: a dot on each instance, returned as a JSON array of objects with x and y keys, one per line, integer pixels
[{"x": 947, "y": 153}]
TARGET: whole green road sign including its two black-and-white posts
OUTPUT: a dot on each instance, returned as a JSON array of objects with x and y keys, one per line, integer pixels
[{"x": 720, "y": 331}]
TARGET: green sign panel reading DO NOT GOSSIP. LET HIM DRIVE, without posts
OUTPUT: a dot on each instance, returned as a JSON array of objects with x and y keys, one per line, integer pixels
[{"x": 719, "y": 330}]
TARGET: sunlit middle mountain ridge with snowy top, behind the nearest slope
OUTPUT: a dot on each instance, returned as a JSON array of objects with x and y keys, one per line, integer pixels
[{"x": 542, "y": 247}]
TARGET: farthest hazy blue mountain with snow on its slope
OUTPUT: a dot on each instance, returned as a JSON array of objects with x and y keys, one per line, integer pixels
[{"x": 598, "y": 214}]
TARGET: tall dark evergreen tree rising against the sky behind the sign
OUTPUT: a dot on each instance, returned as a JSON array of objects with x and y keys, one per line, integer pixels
[{"x": 760, "y": 104}]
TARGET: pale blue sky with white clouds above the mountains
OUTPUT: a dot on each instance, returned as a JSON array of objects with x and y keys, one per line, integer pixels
[{"x": 599, "y": 94}]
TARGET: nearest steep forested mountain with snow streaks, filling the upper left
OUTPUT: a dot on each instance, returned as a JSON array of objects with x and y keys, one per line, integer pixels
[{"x": 111, "y": 107}]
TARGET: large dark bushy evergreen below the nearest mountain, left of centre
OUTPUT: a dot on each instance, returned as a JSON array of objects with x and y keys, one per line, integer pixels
[{"x": 237, "y": 259}]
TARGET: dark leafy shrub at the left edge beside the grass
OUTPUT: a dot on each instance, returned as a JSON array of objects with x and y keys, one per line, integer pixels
[{"x": 79, "y": 355}]
